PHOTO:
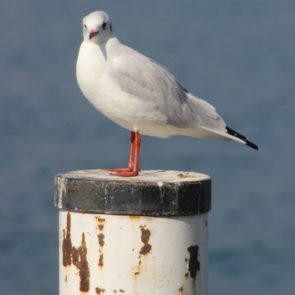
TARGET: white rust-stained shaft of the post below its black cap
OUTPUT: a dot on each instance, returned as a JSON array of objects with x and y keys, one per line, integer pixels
[{"x": 134, "y": 255}]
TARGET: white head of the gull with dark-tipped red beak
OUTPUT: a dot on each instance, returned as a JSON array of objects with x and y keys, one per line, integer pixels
[{"x": 97, "y": 27}]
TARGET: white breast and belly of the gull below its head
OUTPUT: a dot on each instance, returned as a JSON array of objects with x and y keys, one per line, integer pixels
[{"x": 104, "y": 93}]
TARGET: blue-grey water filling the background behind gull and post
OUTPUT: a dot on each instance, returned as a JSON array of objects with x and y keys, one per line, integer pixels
[{"x": 237, "y": 54}]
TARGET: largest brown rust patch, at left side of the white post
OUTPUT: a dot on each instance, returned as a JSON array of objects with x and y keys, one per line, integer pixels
[{"x": 76, "y": 256}]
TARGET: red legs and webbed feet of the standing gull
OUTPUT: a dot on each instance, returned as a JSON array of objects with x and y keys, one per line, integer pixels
[{"x": 133, "y": 167}]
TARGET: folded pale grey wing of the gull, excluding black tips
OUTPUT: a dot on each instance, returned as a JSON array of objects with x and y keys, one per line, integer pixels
[{"x": 154, "y": 85}]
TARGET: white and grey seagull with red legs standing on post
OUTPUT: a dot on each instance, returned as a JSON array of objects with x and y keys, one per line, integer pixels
[{"x": 139, "y": 94}]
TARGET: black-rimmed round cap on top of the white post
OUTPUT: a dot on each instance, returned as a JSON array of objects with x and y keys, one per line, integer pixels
[{"x": 152, "y": 193}]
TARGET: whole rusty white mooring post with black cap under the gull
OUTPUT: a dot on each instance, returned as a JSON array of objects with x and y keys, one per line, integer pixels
[{"x": 144, "y": 235}]
